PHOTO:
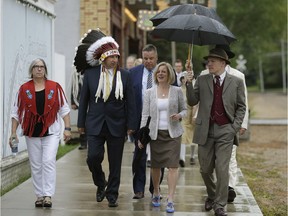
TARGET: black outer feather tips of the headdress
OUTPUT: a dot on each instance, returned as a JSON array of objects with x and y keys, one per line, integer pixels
[{"x": 80, "y": 56}]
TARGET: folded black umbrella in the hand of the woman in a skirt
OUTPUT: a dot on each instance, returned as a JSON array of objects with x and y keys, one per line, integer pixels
[{"x": 144, "y": 138}]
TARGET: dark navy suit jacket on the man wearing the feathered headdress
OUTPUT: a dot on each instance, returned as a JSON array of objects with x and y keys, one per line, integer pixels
[{"x": 118, "y": 114}]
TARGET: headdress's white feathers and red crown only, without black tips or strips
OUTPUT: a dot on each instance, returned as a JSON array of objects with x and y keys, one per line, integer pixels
[{"x": 101, "y": 49}]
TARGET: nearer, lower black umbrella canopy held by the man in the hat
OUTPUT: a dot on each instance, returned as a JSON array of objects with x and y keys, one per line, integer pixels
[{"x": 194, "y": 29}]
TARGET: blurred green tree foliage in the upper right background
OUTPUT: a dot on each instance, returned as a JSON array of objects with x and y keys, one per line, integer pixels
[{"x": 259, "y": 26}]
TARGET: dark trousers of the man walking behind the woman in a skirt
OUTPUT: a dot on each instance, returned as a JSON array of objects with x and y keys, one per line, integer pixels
[{"x": 139, "y": 172}]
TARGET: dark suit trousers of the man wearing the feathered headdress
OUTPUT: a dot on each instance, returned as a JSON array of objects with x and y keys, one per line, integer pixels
[{"x": 95, "y": 157}]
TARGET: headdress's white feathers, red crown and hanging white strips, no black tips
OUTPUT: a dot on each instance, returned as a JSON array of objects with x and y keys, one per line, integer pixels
[{"x": 96, "y": 54}]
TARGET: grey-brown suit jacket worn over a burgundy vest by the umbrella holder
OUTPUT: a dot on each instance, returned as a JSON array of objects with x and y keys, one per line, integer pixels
[{"x": 233, "y": 100}]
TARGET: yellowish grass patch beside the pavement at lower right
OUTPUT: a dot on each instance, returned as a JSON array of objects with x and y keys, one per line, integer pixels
[{"x": 268, "y": 186}]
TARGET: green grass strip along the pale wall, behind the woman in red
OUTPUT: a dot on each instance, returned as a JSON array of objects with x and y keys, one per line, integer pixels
[{"x": 62, "y": 150}]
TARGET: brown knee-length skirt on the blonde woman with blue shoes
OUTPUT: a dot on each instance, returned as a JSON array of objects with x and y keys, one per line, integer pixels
[{"x": 165, "y": 151}]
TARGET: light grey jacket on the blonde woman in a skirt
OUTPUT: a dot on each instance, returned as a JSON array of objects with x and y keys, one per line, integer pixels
[{"x": 176, "y": 105}]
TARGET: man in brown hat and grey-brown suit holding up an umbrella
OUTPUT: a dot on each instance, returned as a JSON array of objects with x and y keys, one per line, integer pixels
[{"x": 222, "y": 108}]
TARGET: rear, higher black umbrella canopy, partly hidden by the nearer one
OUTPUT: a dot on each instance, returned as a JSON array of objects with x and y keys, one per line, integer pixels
[{"x": 184, "y": 9}]
